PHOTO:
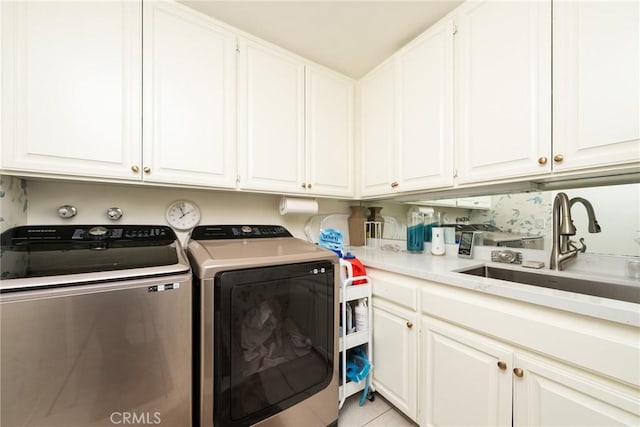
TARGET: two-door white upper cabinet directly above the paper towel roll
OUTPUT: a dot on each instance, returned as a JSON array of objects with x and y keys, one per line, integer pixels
[{"x": 295, "y": 125}]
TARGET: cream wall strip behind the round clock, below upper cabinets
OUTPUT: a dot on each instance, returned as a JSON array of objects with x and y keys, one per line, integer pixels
[{"x": 147, "y": 205}]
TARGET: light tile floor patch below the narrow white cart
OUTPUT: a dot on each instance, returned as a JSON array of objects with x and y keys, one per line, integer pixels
[{"x": 378, "y": 413}]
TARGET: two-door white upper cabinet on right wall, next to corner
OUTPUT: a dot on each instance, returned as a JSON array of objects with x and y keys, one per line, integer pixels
[{"x": 407, "y": 117}]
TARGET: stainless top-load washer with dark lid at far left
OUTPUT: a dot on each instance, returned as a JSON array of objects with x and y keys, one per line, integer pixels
[{"x": 95, "y": 327}]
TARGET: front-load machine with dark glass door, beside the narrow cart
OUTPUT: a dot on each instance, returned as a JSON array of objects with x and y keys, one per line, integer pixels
[{"x": 266, "y": 335}]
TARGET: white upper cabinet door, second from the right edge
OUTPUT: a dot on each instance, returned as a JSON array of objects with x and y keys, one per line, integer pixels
[{"x": 503, "y": 92}]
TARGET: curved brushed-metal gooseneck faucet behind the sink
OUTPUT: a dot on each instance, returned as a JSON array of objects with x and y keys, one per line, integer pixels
[{"x": 564, "y": 249}]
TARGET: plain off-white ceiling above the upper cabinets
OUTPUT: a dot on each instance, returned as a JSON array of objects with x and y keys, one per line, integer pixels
[{"x": 351, "y": 37}]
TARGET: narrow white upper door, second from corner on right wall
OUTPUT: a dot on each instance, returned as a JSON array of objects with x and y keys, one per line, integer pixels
[{"x": 425, "y": 111}]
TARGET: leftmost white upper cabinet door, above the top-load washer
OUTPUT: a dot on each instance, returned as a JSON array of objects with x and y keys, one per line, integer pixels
[{"x": 71, "y": 88}]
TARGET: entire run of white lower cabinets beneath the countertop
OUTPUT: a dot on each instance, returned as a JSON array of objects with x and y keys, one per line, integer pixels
[{"x": 485, "y": 360}]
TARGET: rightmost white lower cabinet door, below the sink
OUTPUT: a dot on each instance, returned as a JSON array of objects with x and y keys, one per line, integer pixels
[{"x": 549, "y": 393}]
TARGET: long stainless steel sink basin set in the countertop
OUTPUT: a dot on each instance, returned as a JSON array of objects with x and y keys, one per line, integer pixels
[{"x": 597, "y": 288}]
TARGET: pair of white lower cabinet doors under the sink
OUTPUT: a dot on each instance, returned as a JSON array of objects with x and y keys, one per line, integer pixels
[{"x": 471, "y": 379}]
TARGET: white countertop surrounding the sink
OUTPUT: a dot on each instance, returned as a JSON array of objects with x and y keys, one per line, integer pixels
[{"x": 443, "y": 269}]
